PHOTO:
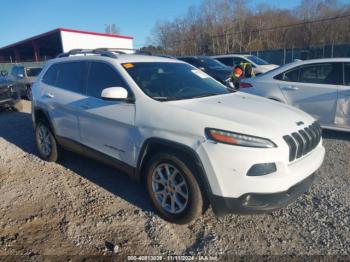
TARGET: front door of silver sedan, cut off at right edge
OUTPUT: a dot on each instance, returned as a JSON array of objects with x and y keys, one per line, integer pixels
[{"x": 342, "y": 116}]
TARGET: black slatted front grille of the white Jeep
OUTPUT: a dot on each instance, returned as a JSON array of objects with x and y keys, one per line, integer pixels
[{"x": 302, "y": 142}]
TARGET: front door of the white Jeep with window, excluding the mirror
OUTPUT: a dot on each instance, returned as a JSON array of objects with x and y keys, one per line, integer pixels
[{"x": 107, "y": 126}]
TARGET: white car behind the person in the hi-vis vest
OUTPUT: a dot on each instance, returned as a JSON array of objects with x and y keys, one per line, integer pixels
[{"x": 259, "y": 65}]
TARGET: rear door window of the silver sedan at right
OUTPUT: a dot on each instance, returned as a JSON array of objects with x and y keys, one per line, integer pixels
[{"x": 320, "y": 74}]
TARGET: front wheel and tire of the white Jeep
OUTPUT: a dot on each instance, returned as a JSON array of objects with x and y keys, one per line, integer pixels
[{"x": 176, "y": 208}]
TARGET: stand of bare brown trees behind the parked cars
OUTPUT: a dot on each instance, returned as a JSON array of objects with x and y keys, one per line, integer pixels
[{"x": 224, "y": 26}]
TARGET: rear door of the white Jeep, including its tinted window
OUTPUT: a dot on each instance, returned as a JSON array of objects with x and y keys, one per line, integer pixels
[{"x": 63, "y": 96}]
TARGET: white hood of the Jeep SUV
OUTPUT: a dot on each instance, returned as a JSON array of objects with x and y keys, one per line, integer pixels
[{"x": 245, "y": 113}]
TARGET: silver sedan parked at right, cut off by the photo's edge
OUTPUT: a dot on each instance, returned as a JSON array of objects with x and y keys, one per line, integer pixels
[{"x": 320, "y": 87}]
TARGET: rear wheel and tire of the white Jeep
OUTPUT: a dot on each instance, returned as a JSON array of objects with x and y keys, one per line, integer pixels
[{"x": 46, "y": 142}]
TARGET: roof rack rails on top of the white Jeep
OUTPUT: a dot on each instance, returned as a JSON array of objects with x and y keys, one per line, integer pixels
[{"x": 109, "y": 52}]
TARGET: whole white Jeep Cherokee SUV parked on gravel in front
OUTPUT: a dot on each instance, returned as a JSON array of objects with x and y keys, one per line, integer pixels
[{"x": 188, "y": 137}]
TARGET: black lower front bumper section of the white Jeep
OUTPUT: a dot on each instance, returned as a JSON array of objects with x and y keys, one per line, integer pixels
[{"x": 253, "y": 203}]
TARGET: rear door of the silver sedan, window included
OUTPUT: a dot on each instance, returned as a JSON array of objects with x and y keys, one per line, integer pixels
[{"x": 313, "y": 88}]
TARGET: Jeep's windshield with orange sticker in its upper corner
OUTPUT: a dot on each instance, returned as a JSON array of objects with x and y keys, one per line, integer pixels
[{"x": 173, "y": 81}]
